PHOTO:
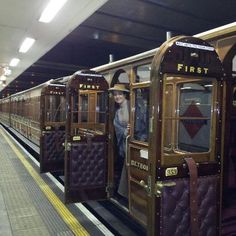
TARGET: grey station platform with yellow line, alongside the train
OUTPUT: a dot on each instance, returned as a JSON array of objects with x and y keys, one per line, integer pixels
[{"x": 32, "y": 203}]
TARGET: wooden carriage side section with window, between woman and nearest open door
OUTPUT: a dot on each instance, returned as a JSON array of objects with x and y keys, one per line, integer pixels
[{"x": 137, "y": 158}]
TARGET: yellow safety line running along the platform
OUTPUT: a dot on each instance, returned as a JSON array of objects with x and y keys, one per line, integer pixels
[{"x": 68, "y": 218}]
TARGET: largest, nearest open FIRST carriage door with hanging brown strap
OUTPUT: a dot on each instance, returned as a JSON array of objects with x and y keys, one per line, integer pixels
[{"x": 184, "y": 161}]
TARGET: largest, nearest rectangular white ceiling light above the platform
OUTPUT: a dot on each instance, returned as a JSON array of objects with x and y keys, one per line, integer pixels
[{"x": 51, "y": 10}]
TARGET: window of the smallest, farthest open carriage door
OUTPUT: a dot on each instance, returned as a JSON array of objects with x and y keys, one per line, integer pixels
[{"x": 55, "y": 108}]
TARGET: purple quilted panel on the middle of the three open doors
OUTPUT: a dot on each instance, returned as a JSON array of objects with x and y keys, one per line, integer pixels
[{"x": 88, "y": 164}]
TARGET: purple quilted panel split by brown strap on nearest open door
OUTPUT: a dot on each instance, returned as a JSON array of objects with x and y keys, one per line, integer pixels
[{"x": 175, "y": 210}]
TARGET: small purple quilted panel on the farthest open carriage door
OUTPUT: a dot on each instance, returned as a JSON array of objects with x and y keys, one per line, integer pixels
[{"x": 52, "y": 145}]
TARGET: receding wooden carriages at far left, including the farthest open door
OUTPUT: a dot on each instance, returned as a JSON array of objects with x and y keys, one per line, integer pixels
[{"x": 39, "y": 115}]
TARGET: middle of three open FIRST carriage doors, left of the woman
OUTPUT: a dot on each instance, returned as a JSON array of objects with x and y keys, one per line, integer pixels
[{"x": 86, "y": 137}]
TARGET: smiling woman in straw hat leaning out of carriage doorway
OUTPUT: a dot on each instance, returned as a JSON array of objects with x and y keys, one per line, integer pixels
[{"x": 121, "y": 125}]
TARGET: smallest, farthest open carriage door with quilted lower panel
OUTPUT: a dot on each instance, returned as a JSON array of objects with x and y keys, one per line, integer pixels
[{"x": 52, "y": 122}]
